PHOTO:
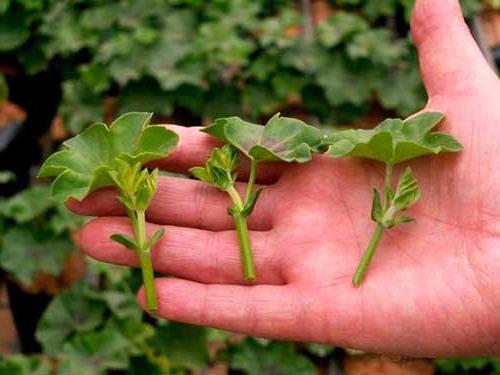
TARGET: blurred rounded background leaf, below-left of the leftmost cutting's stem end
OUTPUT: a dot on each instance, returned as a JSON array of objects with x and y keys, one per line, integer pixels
[{"x": 73, "y": 312}]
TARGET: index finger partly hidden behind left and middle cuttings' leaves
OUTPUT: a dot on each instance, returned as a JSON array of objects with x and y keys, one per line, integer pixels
[{"x": 194, "y": 149}]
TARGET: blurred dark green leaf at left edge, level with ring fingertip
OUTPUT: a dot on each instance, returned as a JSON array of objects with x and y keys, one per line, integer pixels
[{"x": 27, "y": 251}]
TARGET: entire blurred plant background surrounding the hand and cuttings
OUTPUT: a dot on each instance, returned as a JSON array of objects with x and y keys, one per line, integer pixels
[{"x": 66, "y": 64}]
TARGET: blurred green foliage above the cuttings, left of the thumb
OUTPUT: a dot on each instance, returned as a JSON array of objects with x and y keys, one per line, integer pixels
[{"x": 219, "y": 57}]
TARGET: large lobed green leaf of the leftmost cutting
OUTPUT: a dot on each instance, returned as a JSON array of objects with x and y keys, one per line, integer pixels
[{"x": 86, "y": 159}]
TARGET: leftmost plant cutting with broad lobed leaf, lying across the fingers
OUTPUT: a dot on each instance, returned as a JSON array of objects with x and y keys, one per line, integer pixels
[{"x": 115, "y": 156}]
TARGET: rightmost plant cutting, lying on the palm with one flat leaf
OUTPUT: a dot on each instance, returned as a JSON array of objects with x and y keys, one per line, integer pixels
[{"x": 393, "y": 141}]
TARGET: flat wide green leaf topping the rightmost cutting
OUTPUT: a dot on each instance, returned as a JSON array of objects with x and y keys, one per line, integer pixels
[{"x": 395, "y": 140}]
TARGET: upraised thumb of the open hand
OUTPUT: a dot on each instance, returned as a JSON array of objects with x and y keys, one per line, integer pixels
[{"x": 450, "y": 60}]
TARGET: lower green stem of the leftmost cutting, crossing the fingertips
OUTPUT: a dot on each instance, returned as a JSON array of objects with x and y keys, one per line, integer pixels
[{"x": 139, "y": 225}]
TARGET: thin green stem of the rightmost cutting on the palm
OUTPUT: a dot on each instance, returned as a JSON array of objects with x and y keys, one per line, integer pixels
[{"x": 359, "y": 275}]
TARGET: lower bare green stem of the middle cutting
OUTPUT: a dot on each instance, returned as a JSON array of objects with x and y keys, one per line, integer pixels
[{"x": 243, "y": 235}]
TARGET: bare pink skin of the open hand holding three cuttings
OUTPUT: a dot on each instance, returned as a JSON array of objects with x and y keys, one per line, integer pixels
[{"x": 433, "y": 288}]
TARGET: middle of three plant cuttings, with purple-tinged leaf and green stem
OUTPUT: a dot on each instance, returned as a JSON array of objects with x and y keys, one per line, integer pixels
[{"x": 281, "y": 139}]
